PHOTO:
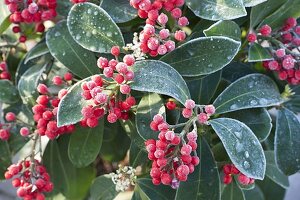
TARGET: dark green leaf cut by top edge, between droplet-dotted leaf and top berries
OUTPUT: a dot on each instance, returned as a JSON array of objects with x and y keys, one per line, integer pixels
[{"x": 120, "y": 10}]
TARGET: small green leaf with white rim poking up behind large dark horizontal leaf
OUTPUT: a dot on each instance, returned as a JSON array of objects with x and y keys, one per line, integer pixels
[{"x": 224, "y": 28}]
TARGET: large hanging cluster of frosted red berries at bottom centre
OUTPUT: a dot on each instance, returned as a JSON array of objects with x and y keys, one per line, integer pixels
[{"x": 174, "y": 156}]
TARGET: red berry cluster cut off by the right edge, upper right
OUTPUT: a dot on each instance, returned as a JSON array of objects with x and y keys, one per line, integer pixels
[{"x": 284, "y": 46}]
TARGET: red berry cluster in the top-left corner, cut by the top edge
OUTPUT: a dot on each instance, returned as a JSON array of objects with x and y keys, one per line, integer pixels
[{"x": 29, "y": 12}]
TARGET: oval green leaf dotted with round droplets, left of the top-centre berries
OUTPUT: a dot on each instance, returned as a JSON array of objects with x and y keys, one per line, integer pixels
[{"x": 93, "y": 28}]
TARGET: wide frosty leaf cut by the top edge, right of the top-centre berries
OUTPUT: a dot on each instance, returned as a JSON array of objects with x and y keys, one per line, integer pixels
[{"x": 217, "y": 10}]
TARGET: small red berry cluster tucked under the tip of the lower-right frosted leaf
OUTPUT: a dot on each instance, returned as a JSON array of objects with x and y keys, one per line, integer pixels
[{"x": 231, "y": 170}]
